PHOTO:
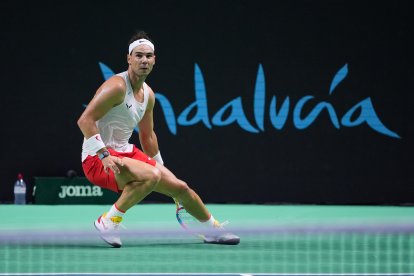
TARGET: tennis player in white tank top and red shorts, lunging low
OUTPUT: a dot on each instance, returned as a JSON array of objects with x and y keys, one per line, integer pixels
[{"x": 108, "y": 159}]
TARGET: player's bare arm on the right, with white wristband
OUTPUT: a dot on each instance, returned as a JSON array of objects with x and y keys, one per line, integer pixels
[{"x": 147, "y": 136}]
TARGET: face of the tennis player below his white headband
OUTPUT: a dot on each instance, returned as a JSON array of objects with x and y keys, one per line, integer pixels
[{"x": 141, "y": 60}]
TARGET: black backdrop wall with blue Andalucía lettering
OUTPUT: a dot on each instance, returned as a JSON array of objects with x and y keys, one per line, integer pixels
[{"x": 263, "y": 101}]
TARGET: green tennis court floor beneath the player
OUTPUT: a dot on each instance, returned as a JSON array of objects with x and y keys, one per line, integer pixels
[{"x": 275, "y": 239}]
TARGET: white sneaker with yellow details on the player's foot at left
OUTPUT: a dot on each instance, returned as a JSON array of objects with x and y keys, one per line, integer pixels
[{"x": 109, "y": 229}]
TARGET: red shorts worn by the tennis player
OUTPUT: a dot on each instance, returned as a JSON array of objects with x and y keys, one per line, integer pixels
[{"x": 94, "y": 172}]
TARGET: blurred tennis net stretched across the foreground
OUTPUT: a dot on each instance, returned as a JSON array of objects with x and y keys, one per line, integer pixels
[{"x": 373, "y": 248}]
